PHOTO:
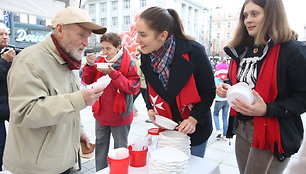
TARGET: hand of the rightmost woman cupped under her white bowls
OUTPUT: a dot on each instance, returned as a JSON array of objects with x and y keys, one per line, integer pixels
[{"x": 259, "y": 108}]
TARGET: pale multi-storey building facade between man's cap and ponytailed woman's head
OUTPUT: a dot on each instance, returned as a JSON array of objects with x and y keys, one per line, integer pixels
[{"x": 119, "y": 15}]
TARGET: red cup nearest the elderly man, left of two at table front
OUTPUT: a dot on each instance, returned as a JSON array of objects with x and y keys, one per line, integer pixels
[{"x": 118, "y": 166}]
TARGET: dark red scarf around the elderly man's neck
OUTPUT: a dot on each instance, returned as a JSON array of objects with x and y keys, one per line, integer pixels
[{"x": 72, "y": 63}]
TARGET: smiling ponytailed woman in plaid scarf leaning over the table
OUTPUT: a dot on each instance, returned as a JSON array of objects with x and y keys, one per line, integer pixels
[{"x": 178, "y": 73}]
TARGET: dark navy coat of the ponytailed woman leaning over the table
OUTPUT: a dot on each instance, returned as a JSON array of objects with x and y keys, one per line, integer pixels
[{"x": 180, "y": 72}]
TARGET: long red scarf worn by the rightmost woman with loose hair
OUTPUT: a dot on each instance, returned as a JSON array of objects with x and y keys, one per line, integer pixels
[{"x": 266, "y": 129}]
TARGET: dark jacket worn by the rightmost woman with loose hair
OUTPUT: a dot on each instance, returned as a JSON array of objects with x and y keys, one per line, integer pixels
[{"x": 290, "y": 102}]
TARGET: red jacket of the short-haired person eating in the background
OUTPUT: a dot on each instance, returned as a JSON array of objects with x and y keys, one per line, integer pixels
[{"x": 129, "y": 84}]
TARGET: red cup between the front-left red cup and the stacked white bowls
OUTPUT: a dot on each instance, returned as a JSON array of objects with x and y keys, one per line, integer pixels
[{"x": 138, "y": 158}]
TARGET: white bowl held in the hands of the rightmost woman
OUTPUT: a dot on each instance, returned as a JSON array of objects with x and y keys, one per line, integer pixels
[{"x": 240, "y": 91}]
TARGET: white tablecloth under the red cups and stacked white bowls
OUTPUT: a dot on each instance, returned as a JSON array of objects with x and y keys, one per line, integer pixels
[{"x": 196, "y": 165}]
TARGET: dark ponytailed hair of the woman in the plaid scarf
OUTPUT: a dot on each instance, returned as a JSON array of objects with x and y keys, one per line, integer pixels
[{"x": 160, "y": 19}]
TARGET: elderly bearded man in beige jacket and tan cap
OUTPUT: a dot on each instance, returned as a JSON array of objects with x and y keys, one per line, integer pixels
[{"x": 45, "y": 101}]
